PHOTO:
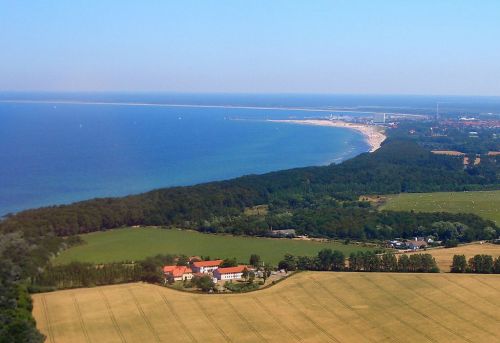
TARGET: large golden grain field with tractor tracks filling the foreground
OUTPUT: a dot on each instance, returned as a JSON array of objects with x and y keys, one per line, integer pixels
[{"x": 308, "y": 307}]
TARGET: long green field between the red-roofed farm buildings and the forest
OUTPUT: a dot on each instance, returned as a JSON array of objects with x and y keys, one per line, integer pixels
[{"x": 138, "y": 243}]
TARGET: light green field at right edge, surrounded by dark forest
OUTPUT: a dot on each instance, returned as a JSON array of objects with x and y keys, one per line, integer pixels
[{"x": 485, "y": 204}]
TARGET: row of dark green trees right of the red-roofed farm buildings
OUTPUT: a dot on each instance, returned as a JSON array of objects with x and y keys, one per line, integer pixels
[{"x": 333, "y": 260}]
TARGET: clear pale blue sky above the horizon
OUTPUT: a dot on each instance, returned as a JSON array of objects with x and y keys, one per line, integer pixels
[{"x": 445, "y": 47}]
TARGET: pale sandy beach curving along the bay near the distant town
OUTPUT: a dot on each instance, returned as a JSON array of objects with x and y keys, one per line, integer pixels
[{"x": 374, "y": 135}]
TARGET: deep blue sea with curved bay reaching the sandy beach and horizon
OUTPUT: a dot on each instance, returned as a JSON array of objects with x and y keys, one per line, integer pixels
[{"x": 58, "y": 153}]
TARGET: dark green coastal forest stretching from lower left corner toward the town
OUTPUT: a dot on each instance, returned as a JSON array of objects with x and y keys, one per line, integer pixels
[{"x": 319, "y": 201}]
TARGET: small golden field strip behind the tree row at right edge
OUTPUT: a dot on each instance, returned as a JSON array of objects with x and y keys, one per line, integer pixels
[{"x": 444, "y": 257}]
